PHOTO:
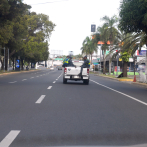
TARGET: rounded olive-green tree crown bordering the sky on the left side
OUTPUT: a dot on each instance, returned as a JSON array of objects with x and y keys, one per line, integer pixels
[{"x": 39, "y": 31}]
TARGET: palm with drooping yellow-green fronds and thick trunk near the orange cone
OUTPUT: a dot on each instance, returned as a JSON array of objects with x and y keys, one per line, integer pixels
[{"x": 127, "y": 44}]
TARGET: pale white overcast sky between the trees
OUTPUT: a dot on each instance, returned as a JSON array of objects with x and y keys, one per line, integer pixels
[{"x": 73, "y": 19}]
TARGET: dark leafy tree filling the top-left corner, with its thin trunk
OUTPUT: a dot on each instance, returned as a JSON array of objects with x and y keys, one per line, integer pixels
[{"x": 11, "y": 19}]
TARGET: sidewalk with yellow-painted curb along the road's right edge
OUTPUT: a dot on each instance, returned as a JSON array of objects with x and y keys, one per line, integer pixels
[{"x": 126, "y": 80}]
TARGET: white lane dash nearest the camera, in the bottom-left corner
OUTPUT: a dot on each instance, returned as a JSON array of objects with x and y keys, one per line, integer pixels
[{"x": 9, "y": 138}]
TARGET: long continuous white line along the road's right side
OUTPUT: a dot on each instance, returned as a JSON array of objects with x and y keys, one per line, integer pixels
[{"x": 121, "y": 93}]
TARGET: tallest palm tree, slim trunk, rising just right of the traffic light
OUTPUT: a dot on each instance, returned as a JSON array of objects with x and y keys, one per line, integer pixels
[{"x": 111, "y": 31}]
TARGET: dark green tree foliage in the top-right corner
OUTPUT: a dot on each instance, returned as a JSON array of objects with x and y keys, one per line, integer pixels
[{"x": 133, "y": 16}]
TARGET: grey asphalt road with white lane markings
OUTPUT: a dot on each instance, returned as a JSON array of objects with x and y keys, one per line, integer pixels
[{"x": 38, "y": 110}]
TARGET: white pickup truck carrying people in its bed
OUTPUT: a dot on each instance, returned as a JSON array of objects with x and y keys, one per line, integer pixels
[{"x": 71, "y": 73}]
